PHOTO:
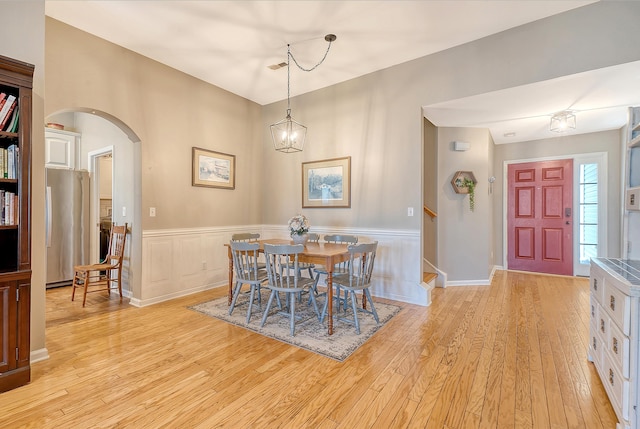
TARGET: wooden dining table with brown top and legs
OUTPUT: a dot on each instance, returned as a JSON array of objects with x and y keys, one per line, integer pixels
[{"x": 326, "y": 254}]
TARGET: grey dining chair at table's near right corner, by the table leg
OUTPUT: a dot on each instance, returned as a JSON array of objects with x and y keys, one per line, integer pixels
[{"x": 361, "y": 260}]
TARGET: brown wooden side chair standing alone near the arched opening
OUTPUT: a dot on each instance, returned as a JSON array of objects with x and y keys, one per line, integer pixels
[{"x": 107, "y": 274}]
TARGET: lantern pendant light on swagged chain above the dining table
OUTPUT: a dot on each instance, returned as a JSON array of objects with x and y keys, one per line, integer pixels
[{"x": 288, "y": 134}]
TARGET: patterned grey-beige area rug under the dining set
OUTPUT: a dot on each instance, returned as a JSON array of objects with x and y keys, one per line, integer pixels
[{"x": 309, "y": 334}]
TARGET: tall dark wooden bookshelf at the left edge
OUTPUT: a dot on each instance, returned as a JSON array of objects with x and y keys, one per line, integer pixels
[{"x": 16, "y": 79}]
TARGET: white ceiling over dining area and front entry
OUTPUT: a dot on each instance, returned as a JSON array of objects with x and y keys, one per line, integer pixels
[{"x": 231, "y": 44}]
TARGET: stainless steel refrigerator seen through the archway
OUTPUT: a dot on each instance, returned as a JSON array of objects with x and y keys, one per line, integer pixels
[{"x": 67, "y": 224}]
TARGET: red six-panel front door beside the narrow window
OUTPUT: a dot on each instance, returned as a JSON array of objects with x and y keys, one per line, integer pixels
[{"x": 540, "y": 217}]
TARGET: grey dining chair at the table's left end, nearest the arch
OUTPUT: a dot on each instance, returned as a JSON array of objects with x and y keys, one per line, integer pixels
[{"x": 248, "y": 272}]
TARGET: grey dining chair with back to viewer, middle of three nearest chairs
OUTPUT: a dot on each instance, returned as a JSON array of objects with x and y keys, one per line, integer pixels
[{"x": 284, "y": 276}]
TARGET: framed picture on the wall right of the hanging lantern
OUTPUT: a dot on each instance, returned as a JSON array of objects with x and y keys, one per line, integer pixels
[{"x": 327, "y": 183}]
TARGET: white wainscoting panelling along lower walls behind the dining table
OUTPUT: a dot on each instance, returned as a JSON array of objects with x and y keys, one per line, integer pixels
[{"x": 185, "y": 261}]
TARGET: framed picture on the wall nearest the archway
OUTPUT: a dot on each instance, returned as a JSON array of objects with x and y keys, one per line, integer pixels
[{"x": 213, "y": 169}]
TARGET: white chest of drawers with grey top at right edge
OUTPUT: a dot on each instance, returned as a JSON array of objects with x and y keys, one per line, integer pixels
[{"x": 614, "y": 343}]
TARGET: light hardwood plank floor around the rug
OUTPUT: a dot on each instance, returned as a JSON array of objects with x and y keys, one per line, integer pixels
[{"x": 509, "y": 355}]
